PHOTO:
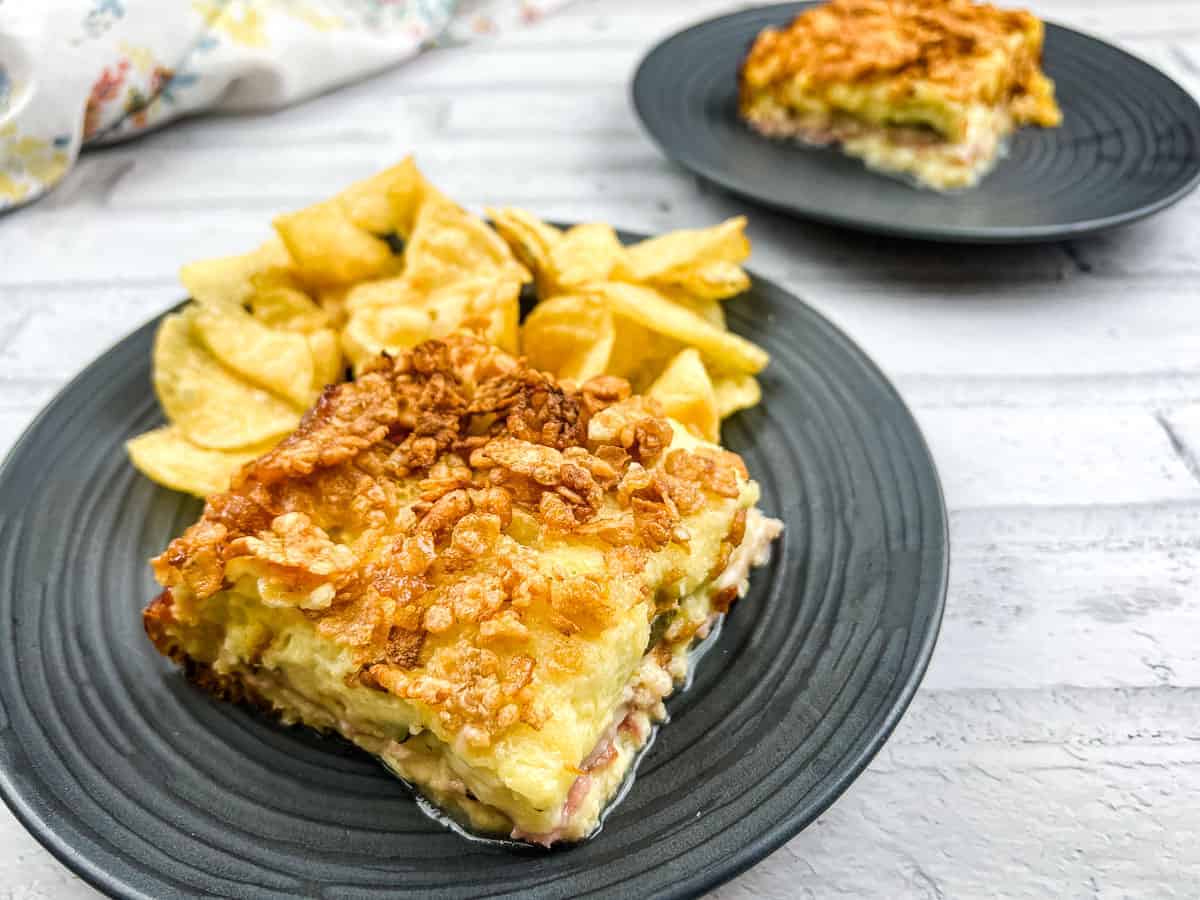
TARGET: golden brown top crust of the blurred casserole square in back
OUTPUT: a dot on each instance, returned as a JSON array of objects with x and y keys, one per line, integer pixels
[{"x": 950, "y": 46}]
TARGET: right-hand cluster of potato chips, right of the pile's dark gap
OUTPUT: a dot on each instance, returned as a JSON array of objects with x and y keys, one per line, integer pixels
[{"x": 650, "y": 313}]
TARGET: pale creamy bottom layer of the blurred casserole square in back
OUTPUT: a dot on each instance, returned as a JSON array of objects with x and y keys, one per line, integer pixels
[{"x": 913, "y": 151}]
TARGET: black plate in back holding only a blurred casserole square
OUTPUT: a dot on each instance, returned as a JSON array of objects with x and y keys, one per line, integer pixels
[{"x": 1129, "y": 147}]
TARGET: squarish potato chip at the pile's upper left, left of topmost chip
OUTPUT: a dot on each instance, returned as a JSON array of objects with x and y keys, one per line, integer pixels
[{"x": 329, "y": 249}]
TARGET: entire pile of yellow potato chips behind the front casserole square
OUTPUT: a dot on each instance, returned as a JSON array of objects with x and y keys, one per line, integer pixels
[{"x": 392, "y": 262}]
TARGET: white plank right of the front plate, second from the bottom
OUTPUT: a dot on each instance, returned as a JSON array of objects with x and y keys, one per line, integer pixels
[{"x": 1033, "y": 619}]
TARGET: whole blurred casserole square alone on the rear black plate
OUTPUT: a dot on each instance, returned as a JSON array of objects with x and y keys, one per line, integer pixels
[{"x": 927, "y": 89}]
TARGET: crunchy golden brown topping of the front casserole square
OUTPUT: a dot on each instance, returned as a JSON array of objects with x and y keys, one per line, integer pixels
[{"x": 409, "y": 514}]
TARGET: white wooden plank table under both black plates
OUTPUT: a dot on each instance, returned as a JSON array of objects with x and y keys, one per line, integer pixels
[{"x": 1054, "y": 749}]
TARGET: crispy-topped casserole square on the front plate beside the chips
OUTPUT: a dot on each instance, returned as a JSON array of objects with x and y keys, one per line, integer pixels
[{"x": 487, "y": 578}]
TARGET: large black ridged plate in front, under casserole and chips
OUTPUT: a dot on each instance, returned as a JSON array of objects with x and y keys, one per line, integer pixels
[{"x": 147, "y": 788}]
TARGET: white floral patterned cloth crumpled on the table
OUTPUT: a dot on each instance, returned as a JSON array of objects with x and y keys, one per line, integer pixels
[{"x": 82, "y": 73}]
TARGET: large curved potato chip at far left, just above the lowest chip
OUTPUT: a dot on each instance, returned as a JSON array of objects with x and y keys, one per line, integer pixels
[{"x": 214, "y": 407}]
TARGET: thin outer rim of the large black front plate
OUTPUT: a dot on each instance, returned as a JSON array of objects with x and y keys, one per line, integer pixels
[{"x": 749, "y": 854}]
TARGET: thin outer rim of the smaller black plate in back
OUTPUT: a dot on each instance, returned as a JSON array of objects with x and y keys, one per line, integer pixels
[{"x": 945, "y": 235}]
